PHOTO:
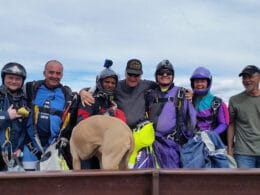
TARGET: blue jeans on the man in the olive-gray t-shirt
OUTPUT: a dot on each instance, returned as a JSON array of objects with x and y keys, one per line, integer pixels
[{"x": 246, "y": 161}]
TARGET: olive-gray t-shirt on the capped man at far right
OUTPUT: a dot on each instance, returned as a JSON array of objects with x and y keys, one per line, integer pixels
[{"x": 244, "y": 111}]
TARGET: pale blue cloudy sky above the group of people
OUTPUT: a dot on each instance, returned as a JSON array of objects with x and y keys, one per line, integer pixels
[{"x": 221, "y": 35}]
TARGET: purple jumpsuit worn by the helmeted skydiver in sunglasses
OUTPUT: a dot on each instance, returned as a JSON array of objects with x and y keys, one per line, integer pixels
[{"x": 167, "y": 151}]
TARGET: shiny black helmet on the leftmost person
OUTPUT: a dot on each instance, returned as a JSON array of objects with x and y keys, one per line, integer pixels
[{"x": 13, "y": 68}]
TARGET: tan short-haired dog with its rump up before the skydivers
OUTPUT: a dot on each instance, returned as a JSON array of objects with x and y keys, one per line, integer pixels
[{"x": 108, "y": 138}]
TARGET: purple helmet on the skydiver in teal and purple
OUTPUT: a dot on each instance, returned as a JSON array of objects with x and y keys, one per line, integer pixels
[{"x": 201, "y": 73}]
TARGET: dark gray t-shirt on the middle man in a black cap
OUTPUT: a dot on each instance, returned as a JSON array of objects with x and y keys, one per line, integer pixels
[{"x": 131, "y": 100}]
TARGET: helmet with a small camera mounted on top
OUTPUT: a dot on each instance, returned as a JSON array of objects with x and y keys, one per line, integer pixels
[{"x": 107, "y": 72}]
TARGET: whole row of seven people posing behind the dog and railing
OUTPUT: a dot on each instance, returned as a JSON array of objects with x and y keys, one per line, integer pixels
[{"x": 177, "y": 114}]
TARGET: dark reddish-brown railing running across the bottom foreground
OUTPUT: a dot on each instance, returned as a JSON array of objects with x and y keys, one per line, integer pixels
[{"x": 150, "y": 182}]
